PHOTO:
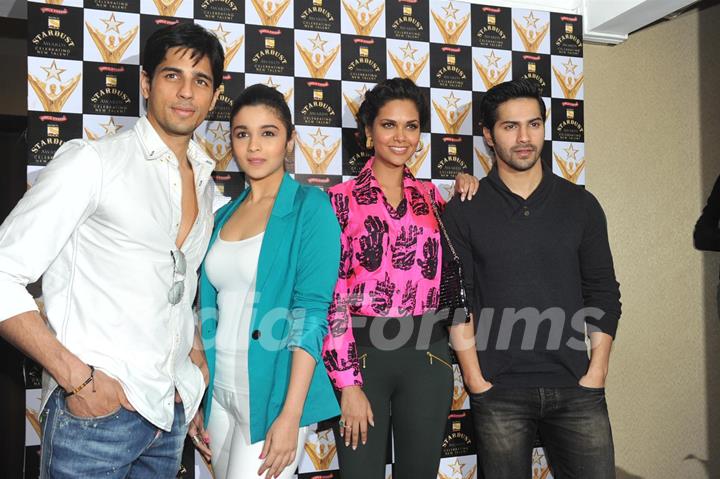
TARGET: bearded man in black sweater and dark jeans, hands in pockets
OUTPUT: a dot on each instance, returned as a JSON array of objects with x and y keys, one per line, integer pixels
[{"x": 540, "y": 279}]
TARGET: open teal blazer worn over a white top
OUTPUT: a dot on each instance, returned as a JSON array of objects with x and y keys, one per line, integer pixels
[{"x": 296, "y": 276}]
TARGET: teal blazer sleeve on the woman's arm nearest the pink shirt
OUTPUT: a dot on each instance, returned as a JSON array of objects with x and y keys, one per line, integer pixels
[{"x": 316, "y": 276}]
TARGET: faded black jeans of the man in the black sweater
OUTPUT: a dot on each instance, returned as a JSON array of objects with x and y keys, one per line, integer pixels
[{"x": 572, "y": 422}]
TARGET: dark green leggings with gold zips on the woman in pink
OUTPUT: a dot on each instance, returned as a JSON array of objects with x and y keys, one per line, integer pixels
[{"x": 412, "y": 391}]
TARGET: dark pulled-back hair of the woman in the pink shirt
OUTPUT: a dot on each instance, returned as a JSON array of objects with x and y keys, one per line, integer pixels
[{"x": 385, "y": 91}]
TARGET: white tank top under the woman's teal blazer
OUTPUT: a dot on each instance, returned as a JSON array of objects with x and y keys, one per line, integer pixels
[{"x": 231, "y": 267}]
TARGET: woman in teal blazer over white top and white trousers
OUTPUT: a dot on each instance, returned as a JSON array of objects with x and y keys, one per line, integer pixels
[{"x": 282, "y": 328}]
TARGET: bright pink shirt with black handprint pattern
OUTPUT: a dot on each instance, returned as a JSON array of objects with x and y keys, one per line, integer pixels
[{"x": 389, "y": 263}]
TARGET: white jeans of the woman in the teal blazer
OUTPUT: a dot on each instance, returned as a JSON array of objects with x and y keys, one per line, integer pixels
[{"x": 229, "y": 428}]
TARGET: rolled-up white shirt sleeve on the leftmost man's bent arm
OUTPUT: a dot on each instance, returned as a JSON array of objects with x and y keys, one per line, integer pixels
[{"x": 44, "y": 220}]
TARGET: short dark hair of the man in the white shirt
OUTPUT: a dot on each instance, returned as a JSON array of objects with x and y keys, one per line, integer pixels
[{"x": 199, "y": 41}]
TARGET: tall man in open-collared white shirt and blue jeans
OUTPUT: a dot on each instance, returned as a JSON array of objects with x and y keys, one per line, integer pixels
[{"x": 118, "y": 228}]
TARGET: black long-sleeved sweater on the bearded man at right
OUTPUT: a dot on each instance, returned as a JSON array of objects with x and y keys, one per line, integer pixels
[{"x": 530, "y": 266}]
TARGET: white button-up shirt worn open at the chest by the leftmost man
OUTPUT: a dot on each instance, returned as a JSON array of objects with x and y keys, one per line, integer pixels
[{"x": 99, "y": 226}]
